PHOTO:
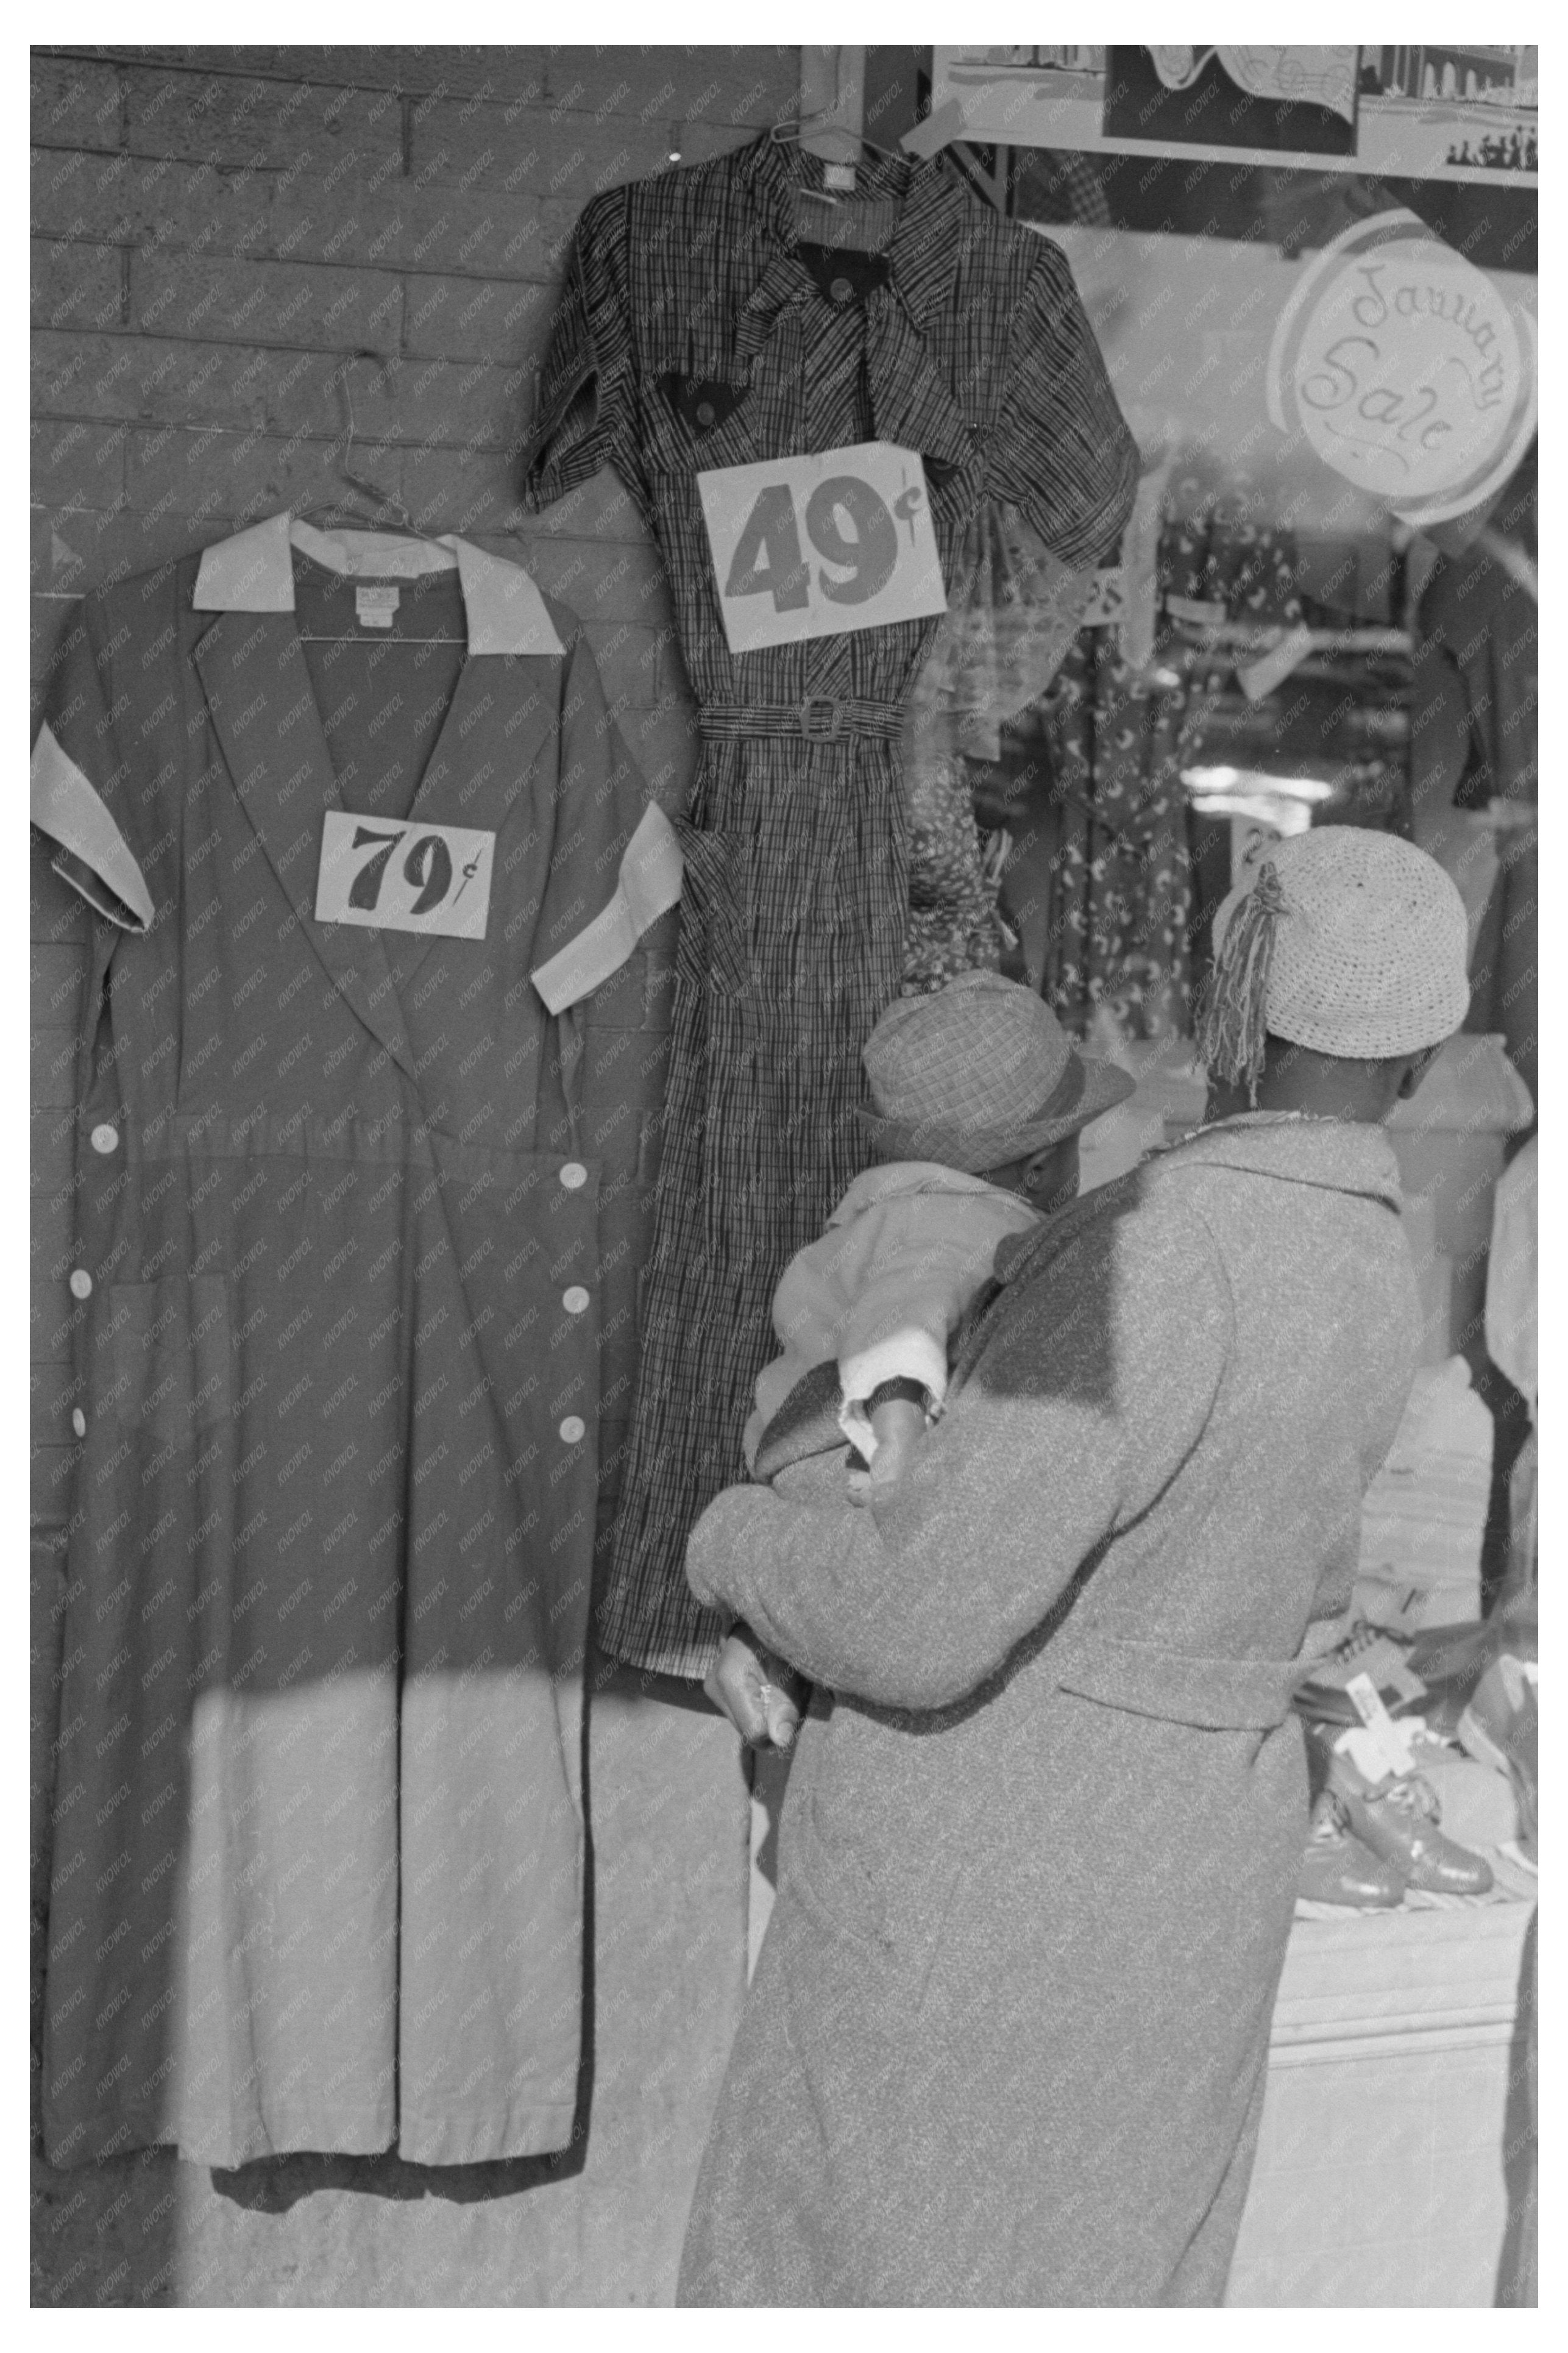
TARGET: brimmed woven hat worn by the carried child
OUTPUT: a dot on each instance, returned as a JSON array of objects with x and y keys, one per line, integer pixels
[{"x": 979, "y": 1074}]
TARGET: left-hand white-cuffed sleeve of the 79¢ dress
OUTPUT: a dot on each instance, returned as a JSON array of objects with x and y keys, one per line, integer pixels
[{"x": 81, "y": 780}]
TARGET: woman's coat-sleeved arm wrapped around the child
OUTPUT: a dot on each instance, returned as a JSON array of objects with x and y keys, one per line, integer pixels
[{"x": 1087, "y": 1399}]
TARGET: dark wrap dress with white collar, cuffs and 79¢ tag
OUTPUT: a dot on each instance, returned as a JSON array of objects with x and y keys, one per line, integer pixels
[{"x": 363, "y": 839}]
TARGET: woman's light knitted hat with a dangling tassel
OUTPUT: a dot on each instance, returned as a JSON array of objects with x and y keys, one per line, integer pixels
[{"x": 1348, "y": 942}]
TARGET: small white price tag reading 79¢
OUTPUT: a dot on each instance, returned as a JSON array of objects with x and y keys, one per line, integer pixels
[{"x": 406, "y": 879}]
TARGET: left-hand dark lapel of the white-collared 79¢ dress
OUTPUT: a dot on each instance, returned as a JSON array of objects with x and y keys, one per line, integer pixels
[{"x": 264, "y": 714}]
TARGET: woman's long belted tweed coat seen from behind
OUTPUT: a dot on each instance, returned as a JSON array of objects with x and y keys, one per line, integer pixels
[{"x": 1038, "y": 1862}]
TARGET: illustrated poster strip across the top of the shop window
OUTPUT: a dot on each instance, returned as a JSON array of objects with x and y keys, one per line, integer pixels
[{"x": 1395, "y": 112}]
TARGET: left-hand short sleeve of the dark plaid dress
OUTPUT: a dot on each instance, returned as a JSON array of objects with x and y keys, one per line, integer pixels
[{"x": 587, "y": 413}]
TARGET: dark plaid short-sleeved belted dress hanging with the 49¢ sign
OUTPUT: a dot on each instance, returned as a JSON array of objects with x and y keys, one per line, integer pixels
[{"x": 718, "y": 316}]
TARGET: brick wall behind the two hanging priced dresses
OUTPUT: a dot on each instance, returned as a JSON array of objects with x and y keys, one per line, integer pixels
[{"x": 215, "y": 236}]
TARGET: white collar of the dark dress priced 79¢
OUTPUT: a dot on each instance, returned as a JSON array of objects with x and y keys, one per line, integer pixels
[{"x": 255, "y": 573}]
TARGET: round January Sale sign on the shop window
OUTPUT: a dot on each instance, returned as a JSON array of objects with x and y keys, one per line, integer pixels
[{"x": 1407, "y": 371}]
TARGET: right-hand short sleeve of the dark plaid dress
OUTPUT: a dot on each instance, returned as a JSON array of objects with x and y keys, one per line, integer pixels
[{"x": 1061, "y": 448}]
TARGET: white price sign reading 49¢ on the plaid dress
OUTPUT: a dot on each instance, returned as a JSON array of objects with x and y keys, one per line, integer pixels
[{"x": 812, "y": 547}]
